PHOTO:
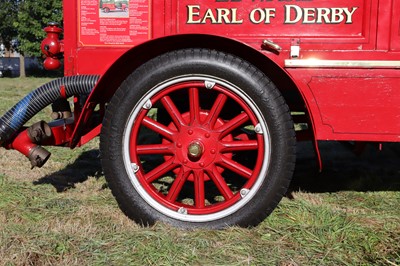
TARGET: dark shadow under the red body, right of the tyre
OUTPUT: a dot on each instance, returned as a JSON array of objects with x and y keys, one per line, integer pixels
[{"x": 343, "y": 170}]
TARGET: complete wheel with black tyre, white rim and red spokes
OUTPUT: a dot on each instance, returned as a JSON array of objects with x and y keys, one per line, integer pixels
[{"x": 238, "y": 186}]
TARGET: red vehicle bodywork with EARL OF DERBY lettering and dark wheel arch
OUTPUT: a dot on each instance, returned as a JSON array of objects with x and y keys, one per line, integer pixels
[{"x": 345, "y": 56}]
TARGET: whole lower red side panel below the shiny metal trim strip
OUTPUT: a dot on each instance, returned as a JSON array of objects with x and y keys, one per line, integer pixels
[{"x": 352, "y": 104}]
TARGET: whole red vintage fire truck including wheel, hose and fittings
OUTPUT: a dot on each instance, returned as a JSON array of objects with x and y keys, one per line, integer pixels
[{"x": 199, "y": 104}]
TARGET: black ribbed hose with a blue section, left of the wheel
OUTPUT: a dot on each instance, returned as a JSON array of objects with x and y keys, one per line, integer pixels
[{"x": 38, "y": 99}]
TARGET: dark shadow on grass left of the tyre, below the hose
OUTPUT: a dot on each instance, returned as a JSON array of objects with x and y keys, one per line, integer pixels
[{"x": 85, "y": 166}]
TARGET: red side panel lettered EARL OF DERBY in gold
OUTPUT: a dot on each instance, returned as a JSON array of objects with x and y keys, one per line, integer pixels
[{"x": 316, "y": 22}]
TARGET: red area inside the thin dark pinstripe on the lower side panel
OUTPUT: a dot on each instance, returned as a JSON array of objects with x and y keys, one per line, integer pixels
[{"x": 368, "y": 105}]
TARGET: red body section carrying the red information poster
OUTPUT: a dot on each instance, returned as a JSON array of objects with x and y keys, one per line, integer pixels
[{"x": 94, "y": 39}]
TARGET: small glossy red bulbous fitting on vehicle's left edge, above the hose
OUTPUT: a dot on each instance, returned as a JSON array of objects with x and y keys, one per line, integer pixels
[{"x": 52, "y": 46}]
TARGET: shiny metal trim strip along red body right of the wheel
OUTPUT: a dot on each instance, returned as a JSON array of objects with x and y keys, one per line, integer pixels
[{"x": 316, "y": 63}]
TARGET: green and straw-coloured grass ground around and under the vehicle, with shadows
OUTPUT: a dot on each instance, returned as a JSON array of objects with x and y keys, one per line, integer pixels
[{"x": 64, "y": 214}]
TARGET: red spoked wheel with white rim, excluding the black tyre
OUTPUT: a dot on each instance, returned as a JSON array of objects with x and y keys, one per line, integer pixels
[{"x": 197, "y": 144}]
